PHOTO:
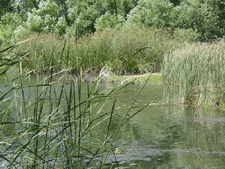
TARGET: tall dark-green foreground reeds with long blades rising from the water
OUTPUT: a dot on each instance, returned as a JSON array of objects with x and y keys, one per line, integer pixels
[{"x": 45, "y": 124}]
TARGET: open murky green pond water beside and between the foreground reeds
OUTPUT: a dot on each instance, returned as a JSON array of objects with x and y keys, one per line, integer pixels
[{"x": 160, "y": 136}]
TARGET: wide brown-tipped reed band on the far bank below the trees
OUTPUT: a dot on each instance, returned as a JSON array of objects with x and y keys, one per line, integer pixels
[{"x": 135, "y": 50}]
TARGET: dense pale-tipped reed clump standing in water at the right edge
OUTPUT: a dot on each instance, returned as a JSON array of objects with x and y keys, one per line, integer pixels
[{"x": 198, "y": 72}]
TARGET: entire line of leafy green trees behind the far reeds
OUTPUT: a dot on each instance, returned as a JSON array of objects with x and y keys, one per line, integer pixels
[{"x": 204, "y": 19}]
